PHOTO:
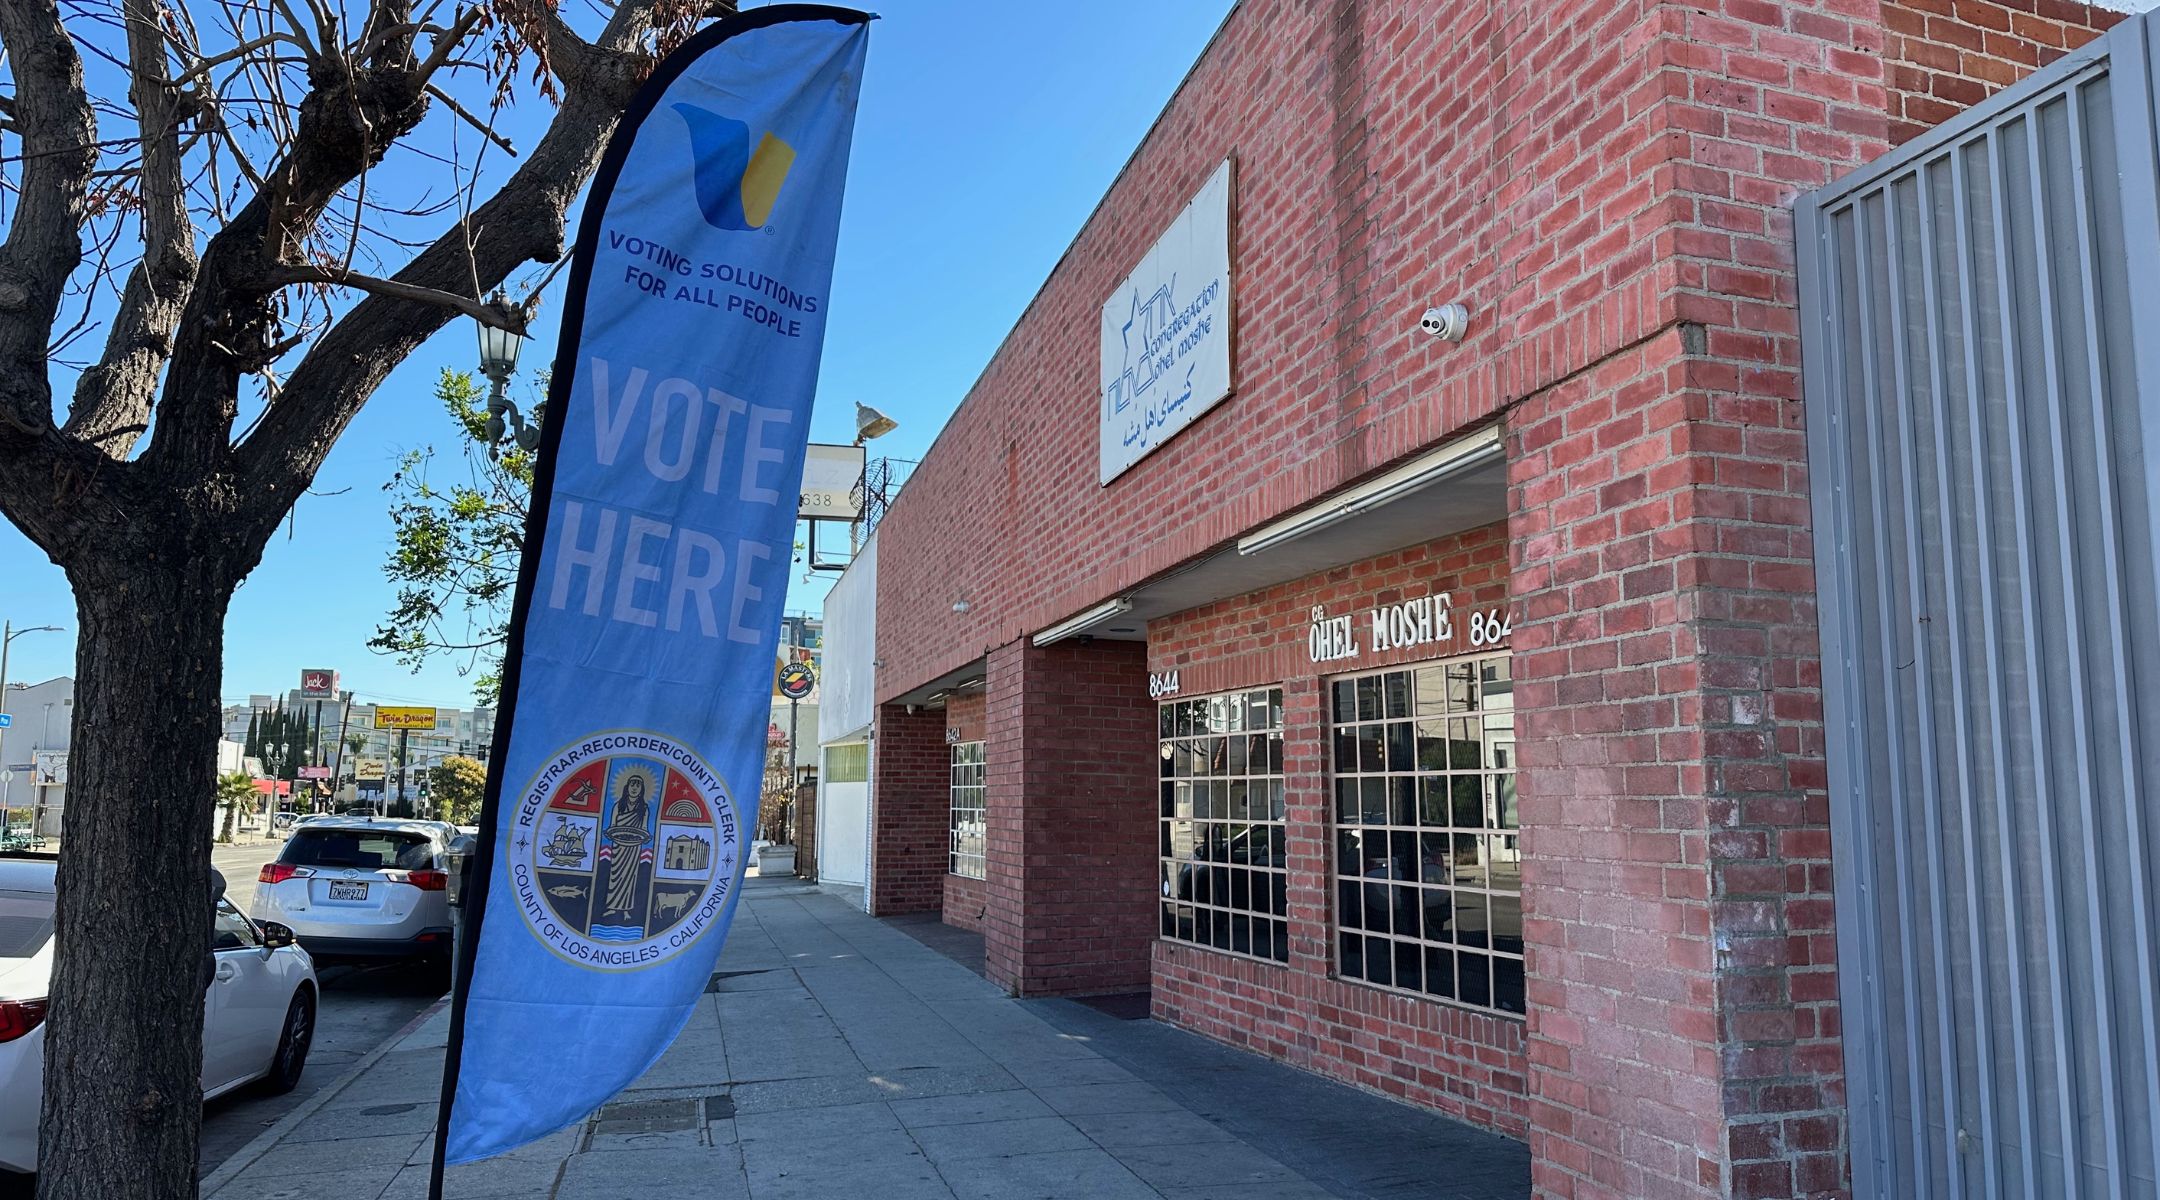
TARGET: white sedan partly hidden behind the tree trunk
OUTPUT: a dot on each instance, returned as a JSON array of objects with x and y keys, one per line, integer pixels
[{"x": 258, "y": 1013}]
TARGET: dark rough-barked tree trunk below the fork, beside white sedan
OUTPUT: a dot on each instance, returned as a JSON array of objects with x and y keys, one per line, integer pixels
[{"x": 124, "y": 1037}]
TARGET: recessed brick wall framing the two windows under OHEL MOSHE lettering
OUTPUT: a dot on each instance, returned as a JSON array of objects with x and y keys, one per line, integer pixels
[{"x": 1457, "y": 1061}]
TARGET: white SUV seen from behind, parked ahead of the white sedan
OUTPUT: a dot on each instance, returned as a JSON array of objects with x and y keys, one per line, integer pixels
[{"x": 360, "y": 888}]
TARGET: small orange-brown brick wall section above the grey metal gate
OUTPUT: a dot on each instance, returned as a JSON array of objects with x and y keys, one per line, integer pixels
[{"x": 1949, "y": 55}]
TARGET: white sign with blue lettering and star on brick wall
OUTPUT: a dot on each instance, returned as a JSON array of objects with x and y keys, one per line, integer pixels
[{"x": 1165, "y": 333}]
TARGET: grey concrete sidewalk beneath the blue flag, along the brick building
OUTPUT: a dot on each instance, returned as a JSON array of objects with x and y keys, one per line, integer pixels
[{"x": 839, "y": 1056}]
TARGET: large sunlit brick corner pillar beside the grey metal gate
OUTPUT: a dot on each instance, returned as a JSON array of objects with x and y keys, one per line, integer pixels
[{"x": 1677, "y": 864}]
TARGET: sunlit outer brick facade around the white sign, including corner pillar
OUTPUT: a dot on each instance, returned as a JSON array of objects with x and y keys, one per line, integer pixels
[{"x": 1608, "y": 185}]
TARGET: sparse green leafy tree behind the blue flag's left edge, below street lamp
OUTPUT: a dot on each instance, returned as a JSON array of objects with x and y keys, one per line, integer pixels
[{"x": 459, "y": 530}]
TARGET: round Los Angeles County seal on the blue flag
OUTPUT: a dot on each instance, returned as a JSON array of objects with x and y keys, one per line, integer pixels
[{"x": 623, "y": 851}]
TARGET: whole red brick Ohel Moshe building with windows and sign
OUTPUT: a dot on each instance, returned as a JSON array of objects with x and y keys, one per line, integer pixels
[{"x": 1440, "y": 715}]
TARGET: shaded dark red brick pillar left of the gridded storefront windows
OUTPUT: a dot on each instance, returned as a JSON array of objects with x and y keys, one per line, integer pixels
[{"x": 1072, "y": 817}]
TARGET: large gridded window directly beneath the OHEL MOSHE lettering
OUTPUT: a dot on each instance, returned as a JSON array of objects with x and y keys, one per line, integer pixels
[{"x": 1429, "y": 869}]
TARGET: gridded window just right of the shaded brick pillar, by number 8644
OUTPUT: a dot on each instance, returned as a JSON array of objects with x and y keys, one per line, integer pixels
[{"x": 1224, "y": 864}]
